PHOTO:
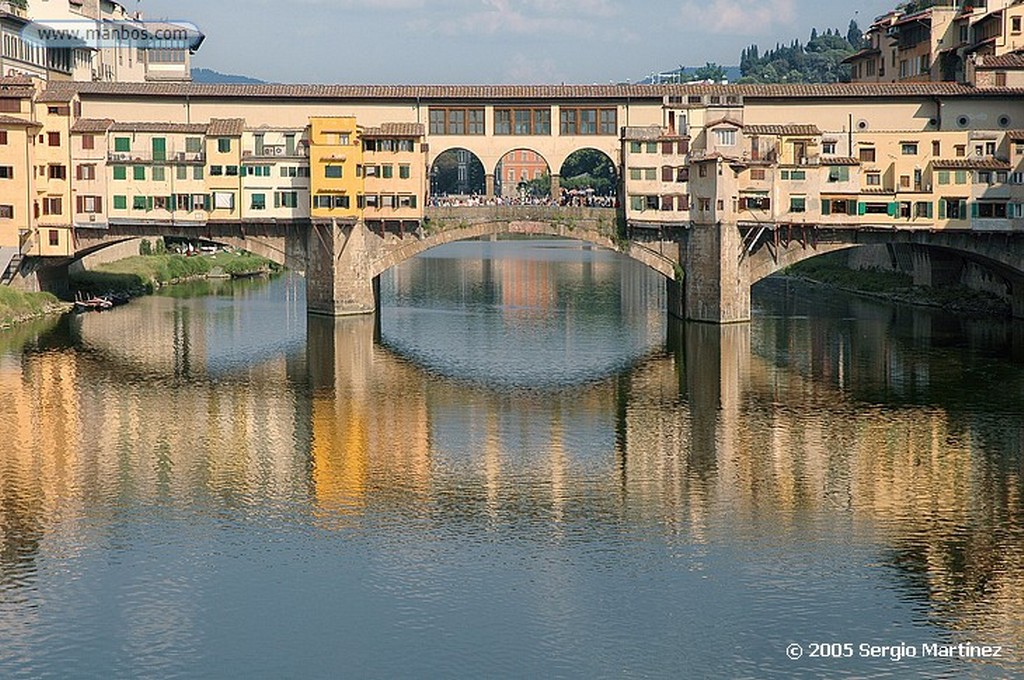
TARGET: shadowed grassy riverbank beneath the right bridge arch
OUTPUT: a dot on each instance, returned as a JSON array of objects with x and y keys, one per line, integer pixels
[{"x": 899, "y": 287}]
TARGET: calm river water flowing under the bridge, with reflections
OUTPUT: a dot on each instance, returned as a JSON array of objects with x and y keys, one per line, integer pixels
[{"x": 521, "y": 470}]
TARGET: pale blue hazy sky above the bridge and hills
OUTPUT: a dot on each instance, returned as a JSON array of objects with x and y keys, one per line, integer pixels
[{"x": 491, "y": 41}]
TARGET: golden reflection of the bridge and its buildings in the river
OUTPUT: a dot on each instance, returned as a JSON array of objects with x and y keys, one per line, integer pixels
[{"x": 855, "y": 421}]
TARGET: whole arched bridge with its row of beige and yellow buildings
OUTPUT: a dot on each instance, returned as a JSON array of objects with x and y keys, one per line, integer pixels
[{"x": 709, "y": 174}]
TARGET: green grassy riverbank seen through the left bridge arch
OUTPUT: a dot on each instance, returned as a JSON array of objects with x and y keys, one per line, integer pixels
[{"x": 145, "y": 274}]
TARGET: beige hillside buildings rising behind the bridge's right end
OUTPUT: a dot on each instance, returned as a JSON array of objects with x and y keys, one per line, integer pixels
[{"x": 965, "y": 41}]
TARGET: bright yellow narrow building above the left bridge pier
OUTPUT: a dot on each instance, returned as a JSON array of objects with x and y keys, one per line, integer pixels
[{"x": 335, "y": 167}]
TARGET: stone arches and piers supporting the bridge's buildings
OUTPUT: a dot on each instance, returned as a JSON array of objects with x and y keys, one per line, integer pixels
[{"x": 709, "y": 269}]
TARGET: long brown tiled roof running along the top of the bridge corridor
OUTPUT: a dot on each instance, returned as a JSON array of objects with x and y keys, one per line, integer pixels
[{"x": 63, "y": 92}]
